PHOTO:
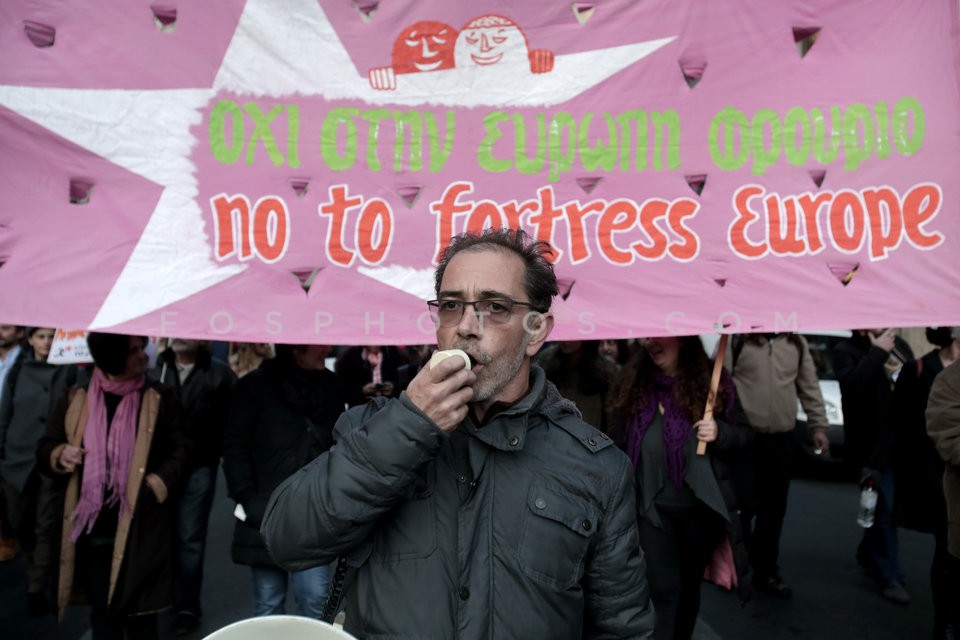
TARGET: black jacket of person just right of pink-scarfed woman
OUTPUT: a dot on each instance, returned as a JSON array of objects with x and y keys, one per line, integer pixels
[{"x": 206, "y": 398}]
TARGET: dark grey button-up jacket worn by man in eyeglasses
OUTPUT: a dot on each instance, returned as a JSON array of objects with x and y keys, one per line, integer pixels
[{"x": 522, "y": 528}]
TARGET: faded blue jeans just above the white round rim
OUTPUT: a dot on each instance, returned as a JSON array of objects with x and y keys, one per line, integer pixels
[{"x": 309, "y": 589}]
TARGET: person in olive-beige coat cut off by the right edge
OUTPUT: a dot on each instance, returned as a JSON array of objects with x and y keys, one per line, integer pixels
[{"x": 943, "y": 427}]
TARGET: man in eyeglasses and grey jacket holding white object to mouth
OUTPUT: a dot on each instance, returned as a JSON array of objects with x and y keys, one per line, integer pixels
[{"x": 477, "y": 504}]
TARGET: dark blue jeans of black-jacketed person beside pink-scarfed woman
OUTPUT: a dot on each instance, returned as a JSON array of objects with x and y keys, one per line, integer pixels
[{"x": 193, "y": 515}]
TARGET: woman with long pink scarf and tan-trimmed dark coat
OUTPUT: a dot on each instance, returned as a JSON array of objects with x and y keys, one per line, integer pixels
[{"x": 119, "y": 446}]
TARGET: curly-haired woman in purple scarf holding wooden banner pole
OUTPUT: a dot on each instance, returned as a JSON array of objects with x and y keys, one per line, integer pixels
[{"x": 687, "y": 504}]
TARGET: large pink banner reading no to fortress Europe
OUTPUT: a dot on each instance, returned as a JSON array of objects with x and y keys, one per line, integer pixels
[{"x": 239, "y": 170}]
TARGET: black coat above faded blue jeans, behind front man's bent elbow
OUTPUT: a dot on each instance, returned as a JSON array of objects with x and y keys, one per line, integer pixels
[{"x": 281, "y": 417}]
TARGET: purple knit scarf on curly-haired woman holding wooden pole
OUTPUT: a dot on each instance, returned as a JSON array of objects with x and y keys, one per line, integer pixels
[{"x": 677, "y": 426}]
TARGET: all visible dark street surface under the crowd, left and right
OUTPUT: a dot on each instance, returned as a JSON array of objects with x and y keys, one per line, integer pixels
[{"x": 832, "y": 599}]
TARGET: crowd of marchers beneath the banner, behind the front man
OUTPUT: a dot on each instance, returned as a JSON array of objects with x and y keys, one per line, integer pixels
[{"x": 84, "y": 449}]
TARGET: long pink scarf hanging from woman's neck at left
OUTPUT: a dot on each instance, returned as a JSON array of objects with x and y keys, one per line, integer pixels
[{"x": 107, "y": 456}]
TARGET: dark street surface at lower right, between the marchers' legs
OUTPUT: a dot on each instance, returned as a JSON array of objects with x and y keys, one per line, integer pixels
[{"x": 832, "y": 599}]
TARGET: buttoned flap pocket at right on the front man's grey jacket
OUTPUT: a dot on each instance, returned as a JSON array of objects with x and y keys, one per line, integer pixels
[{"x": 556, "y": 534}]
